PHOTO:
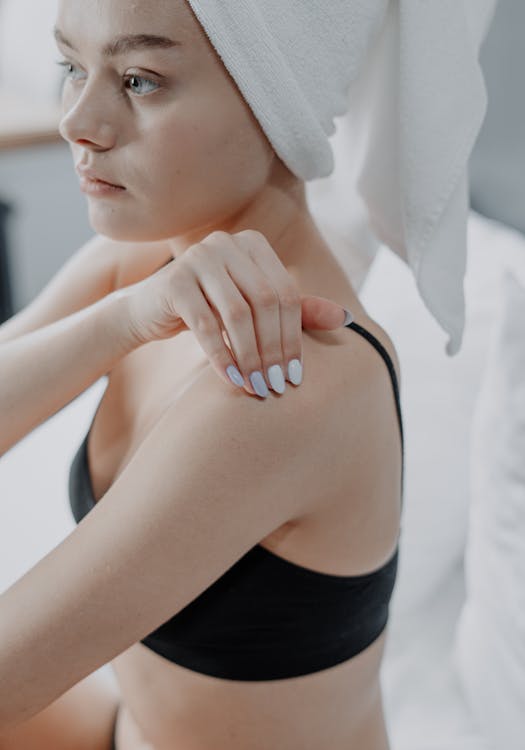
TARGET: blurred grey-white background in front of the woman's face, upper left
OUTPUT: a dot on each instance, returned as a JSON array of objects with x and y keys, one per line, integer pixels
[{"x": 43, "y": 217}]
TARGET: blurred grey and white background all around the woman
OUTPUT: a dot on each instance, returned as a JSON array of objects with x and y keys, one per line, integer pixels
[{"x": 454, "y": 670}]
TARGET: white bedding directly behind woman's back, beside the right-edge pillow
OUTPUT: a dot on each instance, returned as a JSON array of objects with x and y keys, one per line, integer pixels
[{"x": 427, "y": 707}]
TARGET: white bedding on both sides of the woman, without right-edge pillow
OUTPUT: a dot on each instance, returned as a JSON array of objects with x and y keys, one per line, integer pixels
[{"x": 424, "y": 703}]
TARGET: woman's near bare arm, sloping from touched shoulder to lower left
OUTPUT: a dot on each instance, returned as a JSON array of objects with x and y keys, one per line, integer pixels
[{"x": 218, "y": 473}]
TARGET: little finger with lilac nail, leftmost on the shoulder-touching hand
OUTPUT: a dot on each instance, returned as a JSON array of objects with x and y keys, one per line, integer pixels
[{"x": 201, "y": 319}]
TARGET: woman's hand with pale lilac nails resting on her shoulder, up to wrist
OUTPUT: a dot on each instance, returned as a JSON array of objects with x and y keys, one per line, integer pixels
[{"x": 235, "y": 295}]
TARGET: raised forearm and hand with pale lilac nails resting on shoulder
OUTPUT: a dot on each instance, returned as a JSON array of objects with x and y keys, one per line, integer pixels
[{"x": 250, "y": 296}]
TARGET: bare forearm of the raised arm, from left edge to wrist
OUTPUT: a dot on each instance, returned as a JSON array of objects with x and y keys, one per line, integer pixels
[{"x": 44, "y": 370}]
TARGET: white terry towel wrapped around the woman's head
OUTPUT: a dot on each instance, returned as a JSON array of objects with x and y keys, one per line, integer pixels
[{"x": 405, "y": 74}]
